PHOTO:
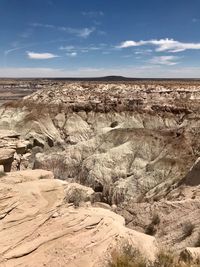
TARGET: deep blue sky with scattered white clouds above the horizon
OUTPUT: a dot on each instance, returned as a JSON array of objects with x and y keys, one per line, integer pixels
[{"x": 93, "y": 38}]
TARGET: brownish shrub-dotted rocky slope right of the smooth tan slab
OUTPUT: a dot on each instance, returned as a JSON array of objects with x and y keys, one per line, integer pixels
[{"x": 173, "y": 220}]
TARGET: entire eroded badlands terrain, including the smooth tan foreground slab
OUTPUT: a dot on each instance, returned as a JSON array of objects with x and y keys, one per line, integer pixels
[{"x": 85, "y": 165}]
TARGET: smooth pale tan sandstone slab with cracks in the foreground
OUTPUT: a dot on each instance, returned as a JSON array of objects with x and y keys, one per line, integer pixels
[{"x": 39, "y": 228}]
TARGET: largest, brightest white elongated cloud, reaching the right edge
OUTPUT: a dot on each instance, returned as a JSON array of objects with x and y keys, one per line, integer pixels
[{"x": 169, "y": 45}]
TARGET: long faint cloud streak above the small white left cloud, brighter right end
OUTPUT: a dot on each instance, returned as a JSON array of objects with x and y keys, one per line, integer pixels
[{"x": 82, "y": 32}]
